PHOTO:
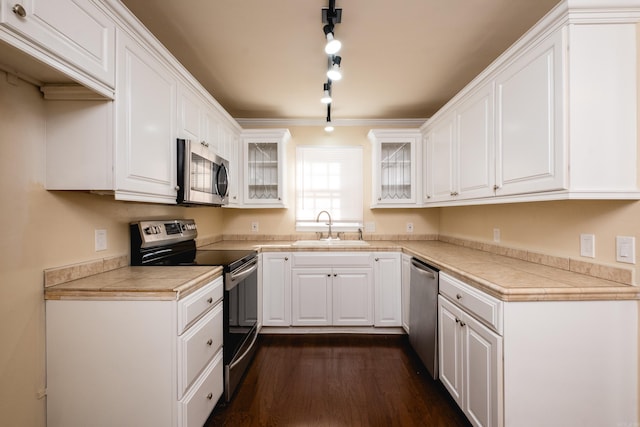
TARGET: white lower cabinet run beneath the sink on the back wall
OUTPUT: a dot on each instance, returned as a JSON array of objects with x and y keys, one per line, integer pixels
[{"x": 332, "y": 289}]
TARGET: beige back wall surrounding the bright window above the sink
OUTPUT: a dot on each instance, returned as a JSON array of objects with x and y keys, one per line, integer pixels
[{"x": 282, "y": 221}]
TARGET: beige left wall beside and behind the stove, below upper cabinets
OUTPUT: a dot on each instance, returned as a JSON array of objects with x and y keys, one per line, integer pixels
[{"x": 40, "y": 230}]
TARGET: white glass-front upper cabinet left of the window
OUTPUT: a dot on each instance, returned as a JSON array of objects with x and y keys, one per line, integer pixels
[{"x": 264, "y": 167}]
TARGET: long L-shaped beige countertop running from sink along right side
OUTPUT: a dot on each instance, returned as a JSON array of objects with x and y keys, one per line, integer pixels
[{"x": 506, "y": 278}]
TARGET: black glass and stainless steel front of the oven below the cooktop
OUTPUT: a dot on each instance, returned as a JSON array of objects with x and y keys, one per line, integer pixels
[{"x": 240, "y": 323}]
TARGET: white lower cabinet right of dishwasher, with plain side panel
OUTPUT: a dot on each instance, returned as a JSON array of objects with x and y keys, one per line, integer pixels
[{"x": 538, "y": 363}]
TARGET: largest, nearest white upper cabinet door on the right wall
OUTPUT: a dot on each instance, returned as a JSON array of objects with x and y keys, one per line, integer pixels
[{"x": 530, "y": 126}]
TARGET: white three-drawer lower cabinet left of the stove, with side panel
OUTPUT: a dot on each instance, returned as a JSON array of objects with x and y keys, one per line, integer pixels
[{"x": 140, "y": 363}]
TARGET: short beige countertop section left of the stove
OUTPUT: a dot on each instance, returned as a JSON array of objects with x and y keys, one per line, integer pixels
[{"x": 136, "y": 283}]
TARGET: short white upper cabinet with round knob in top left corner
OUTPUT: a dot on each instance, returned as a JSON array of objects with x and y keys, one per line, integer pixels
[{"x": 73, "y": 36}]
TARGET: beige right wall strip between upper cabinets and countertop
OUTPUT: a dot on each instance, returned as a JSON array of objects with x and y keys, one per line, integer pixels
[{"x": 552, "y": 228}]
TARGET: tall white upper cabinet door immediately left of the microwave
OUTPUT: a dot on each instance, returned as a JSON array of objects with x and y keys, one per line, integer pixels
[{"x": 146, "y": 130}]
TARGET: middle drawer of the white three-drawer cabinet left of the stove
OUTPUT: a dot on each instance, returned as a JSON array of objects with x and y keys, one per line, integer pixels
[{"x": 197, "y": 346}]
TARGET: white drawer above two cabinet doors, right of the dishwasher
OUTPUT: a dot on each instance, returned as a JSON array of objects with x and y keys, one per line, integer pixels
[{"x": 485, "y": 307}]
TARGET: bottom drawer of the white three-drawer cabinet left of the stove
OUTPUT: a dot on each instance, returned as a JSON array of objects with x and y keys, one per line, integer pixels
[{"x": 196, "y": 406}]
